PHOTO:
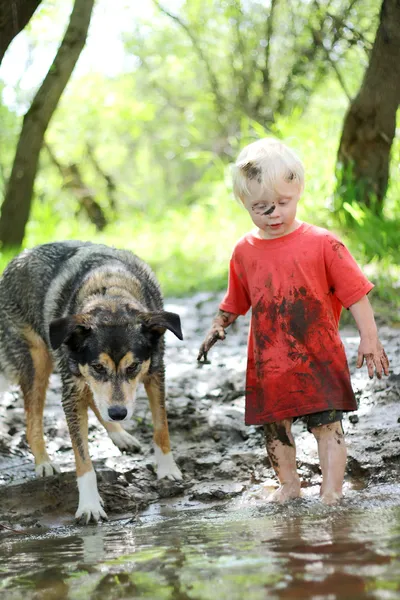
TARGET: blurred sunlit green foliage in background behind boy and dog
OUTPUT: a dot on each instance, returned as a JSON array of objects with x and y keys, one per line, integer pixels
[{"x": 166, "y": 135}]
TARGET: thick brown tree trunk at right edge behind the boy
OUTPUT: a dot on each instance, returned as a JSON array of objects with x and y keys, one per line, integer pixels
[{"x": 370, "y": 123}]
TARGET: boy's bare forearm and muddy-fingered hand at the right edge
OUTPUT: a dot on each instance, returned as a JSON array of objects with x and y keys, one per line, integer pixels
[{"x": 370, "y": 347}]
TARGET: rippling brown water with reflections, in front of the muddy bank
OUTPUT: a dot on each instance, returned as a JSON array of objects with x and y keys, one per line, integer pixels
[{"x": 232, "y": 550}]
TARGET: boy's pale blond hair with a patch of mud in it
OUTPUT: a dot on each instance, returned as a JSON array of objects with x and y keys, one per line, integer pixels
[{"x": 267, "y": 161}]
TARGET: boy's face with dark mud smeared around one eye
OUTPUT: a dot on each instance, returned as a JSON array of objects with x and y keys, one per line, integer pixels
[{"x": 273, "y": 211}]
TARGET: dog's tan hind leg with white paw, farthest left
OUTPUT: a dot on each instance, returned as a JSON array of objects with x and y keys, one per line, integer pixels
[{"x": 34, "y": 381}]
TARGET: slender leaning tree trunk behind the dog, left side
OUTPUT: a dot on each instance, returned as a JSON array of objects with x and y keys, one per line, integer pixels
[{"x": 17, "y": 203}]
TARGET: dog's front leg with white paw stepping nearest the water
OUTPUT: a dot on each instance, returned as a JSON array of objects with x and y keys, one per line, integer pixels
[{"x": 75, "y": 403}]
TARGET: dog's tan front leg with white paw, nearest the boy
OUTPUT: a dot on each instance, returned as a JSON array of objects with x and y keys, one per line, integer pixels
[{"x": 166, "y": 466}]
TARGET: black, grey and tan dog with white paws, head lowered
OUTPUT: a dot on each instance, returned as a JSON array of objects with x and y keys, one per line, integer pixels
[{"x": 96, "y": 313}]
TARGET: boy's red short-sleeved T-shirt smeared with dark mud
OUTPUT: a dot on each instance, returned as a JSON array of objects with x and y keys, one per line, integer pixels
[{"x": 296, "y": 286}]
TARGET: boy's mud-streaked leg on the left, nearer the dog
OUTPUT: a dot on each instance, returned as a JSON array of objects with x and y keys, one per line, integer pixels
[{"x": 281, "y": 450}]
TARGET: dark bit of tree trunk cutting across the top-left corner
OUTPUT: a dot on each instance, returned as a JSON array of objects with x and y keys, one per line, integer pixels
[{"x": 14, "y": 16}]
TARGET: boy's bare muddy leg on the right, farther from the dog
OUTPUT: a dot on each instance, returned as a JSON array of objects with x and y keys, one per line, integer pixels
[{"x": 332, "y": 457}]
